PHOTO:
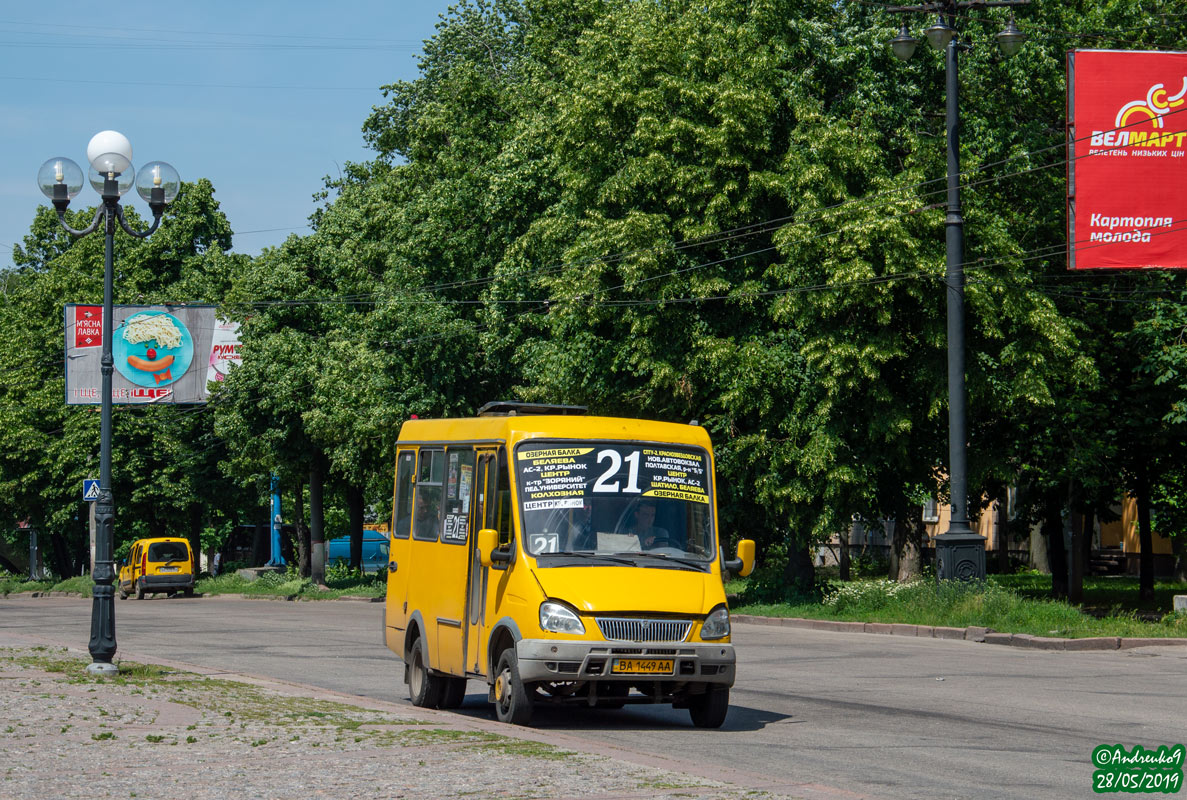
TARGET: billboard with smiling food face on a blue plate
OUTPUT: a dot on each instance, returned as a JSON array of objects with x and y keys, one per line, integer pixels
[{"x": 163, "y": 354}]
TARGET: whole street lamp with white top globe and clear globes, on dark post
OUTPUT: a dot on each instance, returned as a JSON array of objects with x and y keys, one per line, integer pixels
[{"x": 111, "y": 175}]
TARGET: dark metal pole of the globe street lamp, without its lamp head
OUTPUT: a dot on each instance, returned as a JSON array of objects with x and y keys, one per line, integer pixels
[{"x": 103, "y": 611}]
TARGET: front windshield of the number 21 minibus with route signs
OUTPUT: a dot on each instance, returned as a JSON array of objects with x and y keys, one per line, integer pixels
[{"x": 632, "y": 499}]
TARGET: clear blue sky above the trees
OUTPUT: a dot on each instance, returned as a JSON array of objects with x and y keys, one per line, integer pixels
[{"x": 264, "y": 99}]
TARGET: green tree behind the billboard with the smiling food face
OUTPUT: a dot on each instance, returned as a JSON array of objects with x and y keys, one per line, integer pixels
[{"x": 164, "y": 459}]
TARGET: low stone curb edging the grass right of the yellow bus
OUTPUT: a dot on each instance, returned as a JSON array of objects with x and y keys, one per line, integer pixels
[{"x": 972, "y": 634}]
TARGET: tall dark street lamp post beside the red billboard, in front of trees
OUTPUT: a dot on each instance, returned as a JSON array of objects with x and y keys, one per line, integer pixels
[{"x": 961, "y": 551}]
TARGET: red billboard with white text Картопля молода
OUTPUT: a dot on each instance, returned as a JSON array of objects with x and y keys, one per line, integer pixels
[{"x": 1127, "y": 188}]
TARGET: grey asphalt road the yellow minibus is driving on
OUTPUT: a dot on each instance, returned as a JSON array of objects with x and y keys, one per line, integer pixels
[{"x": 816, "y": 714}]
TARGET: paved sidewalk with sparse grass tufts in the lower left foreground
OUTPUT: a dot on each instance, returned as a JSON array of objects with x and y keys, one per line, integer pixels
[{"x": 172, "y": 735}]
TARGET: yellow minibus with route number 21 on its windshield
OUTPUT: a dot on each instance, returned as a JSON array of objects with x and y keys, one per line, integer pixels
[{"x": 561, "y": 558}]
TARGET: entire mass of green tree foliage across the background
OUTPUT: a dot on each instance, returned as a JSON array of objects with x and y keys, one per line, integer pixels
[{"x": 721, "y": 211}]
